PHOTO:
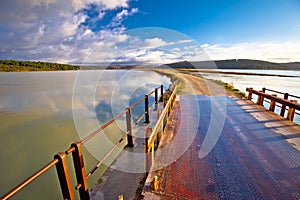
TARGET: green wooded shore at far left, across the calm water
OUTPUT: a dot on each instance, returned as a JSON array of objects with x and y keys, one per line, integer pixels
[{"x": 20, "y": 66}]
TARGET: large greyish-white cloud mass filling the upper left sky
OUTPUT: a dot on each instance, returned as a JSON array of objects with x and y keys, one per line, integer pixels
[{"x": 51, "y": 30}]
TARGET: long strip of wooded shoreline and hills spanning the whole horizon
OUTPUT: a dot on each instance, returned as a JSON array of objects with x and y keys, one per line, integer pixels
[{"x": 240, "y": 64}]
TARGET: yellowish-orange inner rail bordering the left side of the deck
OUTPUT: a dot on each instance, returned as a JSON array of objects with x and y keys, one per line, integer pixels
[{"x": 153, "y": 139}]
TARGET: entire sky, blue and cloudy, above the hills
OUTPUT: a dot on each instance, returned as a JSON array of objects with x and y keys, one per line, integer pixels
[{"x": 78, "y": 31}]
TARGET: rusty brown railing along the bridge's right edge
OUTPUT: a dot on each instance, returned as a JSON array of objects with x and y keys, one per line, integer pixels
[{"x": 273, "y": 99}]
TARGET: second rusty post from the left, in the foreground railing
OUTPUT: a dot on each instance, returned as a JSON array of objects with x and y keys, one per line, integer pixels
[{"x": 82, "y": 184}]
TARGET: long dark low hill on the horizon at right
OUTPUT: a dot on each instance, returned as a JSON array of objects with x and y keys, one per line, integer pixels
[{"x": 235, "y": 64}]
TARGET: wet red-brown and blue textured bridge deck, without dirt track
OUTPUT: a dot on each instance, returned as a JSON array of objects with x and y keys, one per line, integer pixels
[{"x": 248, "y": 161}]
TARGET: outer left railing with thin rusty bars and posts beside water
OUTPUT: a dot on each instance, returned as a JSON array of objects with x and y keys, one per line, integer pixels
[{"x": 60, "y": 159}]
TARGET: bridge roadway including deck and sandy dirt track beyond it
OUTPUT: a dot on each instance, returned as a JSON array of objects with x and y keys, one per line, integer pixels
[{"x": 221, "y": 146}]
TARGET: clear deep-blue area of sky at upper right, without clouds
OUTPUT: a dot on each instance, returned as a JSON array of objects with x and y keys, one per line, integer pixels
[{"x": 230, "y": 21}]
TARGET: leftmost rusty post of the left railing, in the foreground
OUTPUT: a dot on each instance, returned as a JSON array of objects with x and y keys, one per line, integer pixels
[{"x": 64, "y": 176}]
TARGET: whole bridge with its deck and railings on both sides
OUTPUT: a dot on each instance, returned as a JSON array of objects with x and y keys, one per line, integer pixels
[{"x": 196, "y": 145}]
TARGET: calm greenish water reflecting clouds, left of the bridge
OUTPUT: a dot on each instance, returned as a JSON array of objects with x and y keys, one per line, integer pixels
[{"x": 37, "y": 112}]
